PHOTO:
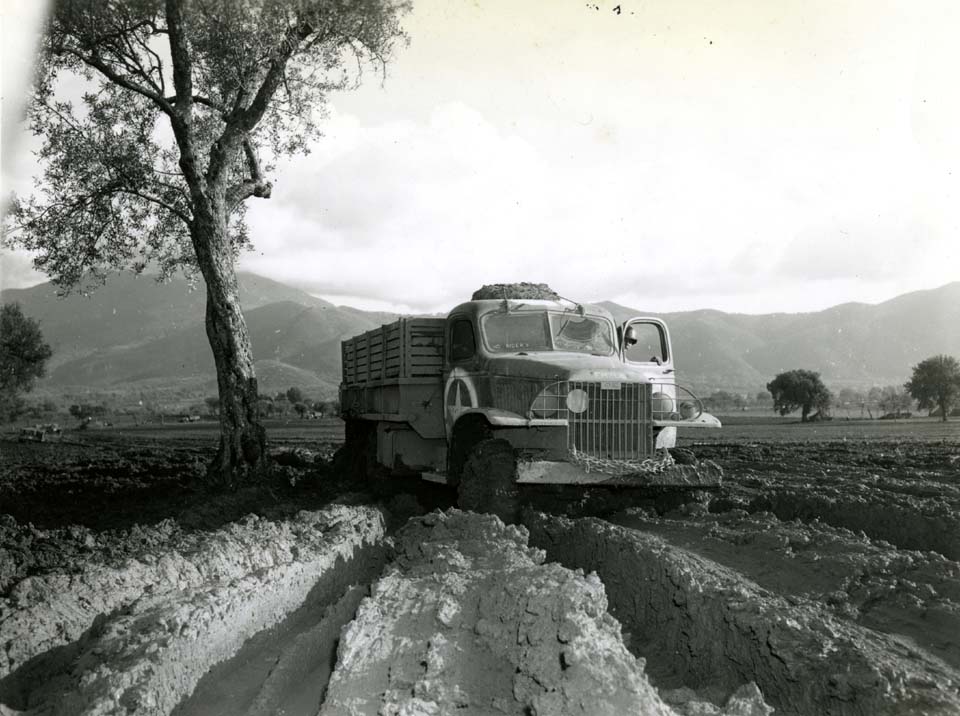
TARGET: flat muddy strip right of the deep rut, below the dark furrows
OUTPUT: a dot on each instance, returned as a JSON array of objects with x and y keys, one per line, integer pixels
[{"x": 903, "y": 593}]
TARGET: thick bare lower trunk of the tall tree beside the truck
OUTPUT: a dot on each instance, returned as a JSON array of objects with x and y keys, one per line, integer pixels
[{"x": 241, "y": 456}]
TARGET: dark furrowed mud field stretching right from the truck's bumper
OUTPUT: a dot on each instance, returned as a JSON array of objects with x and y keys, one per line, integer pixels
[{"x": 907, "y": 494}]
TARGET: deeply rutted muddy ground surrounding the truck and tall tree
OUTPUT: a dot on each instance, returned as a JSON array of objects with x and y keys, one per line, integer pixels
[{"x": 824, "y": 578}]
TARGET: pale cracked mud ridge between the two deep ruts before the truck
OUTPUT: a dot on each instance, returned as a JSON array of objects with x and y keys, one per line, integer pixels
[{"x": 470, "y": 620}]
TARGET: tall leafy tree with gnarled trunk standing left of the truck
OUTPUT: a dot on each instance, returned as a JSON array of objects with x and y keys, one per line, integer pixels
[{"x": 184, "y": 101}]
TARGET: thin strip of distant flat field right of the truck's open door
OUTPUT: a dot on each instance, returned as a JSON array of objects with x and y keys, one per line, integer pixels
[{"x": 755, "y": 428}]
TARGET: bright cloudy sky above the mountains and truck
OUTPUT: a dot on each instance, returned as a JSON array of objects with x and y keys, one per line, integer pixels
[{"x": 745, "y": 155}]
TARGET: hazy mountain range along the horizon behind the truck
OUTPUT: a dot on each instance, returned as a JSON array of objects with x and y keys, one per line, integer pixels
[{"x": 135, "y": 334}]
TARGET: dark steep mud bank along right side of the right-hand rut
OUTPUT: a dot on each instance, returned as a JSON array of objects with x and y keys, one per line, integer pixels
[{"x": 704, "y": 626}]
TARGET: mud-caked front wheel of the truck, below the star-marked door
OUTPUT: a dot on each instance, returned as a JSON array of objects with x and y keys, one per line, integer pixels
[{"x": 488, "y": 483}]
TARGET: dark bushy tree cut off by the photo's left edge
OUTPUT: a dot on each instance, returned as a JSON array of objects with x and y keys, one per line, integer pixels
[{"x": 23, "y": 358}]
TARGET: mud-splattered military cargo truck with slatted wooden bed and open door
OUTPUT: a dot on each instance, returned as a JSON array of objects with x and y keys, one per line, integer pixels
[{"x": 514, "y": 391}]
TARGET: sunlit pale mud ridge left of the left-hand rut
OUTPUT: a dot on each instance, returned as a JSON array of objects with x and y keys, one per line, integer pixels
[{"x": 144, "y": 651}]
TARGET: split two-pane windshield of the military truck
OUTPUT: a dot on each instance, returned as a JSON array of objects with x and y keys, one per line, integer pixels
[{"x": 543, "y": 331}]
